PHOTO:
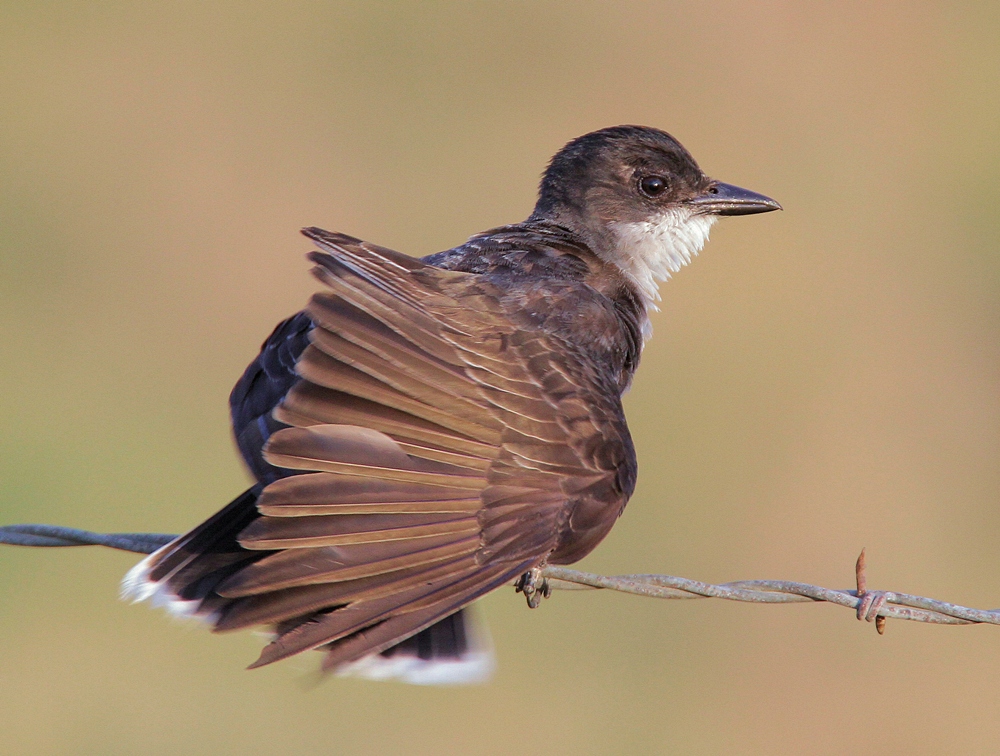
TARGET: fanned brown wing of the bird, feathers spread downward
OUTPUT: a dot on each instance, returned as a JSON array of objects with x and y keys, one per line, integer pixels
[{"x": 445, "y": 452}]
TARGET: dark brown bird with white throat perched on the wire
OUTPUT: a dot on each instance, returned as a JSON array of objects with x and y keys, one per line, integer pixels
[{"x": 428, "y": 430}]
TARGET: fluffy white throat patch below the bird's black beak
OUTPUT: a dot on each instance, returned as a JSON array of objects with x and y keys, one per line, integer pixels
[{"x": 652, "y": 250}]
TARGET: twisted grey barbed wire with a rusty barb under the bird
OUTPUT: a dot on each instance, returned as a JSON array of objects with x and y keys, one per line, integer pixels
[{"x": 873, "y": 606}]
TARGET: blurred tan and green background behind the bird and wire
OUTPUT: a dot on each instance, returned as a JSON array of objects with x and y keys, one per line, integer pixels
[{"x": 820, "y": 379}]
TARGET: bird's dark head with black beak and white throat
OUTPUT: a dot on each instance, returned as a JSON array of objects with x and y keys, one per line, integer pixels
[{"x": 639, "y": 200}]
